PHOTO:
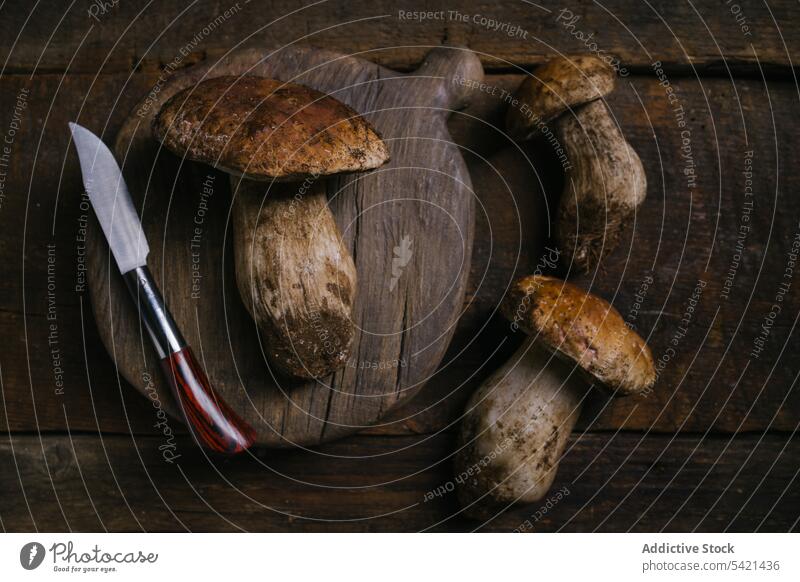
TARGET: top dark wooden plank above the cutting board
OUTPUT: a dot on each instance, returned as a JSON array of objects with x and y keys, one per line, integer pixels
[{"x": 707, "y": 36}]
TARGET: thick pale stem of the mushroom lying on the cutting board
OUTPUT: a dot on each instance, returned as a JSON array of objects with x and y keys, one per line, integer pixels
[{"x": 295, "y": 275}]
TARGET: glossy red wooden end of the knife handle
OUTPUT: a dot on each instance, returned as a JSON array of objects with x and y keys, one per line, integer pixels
[{"x": 211, "y": 421}]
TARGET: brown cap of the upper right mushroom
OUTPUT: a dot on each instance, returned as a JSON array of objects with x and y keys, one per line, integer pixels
[{"x": 555, "y": 87}]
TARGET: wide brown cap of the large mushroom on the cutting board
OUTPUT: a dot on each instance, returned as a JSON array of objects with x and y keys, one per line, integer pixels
[{"x": 266, "y": 129}]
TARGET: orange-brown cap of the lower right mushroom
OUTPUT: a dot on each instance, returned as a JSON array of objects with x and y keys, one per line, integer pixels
[{"x": 584, "y": 328}]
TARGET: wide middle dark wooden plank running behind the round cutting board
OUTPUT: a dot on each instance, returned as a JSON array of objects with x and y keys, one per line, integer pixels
[{"x": 709, "y": 382}]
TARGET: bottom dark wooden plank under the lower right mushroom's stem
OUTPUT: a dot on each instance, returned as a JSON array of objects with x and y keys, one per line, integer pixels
[{"x": 609, "y": 483}]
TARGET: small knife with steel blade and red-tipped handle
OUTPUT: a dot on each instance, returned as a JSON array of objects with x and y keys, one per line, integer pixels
[{"x": 211, "y": 421}]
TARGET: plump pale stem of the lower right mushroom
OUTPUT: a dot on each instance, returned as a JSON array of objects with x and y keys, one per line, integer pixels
[{"x": 516, "y": 428}]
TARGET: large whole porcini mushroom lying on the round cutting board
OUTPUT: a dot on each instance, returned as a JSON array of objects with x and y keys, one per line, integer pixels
[{"x": 294, "y": 273}]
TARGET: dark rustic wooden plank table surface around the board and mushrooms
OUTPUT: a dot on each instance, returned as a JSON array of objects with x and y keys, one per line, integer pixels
[{"x": 708, "y": 275}]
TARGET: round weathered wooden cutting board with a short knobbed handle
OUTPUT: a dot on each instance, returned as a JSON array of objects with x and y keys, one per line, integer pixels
[{"x": 409, "y": 227}]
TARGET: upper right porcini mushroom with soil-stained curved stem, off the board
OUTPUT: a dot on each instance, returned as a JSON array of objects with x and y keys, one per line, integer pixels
[{"x": 604, "y": 179}]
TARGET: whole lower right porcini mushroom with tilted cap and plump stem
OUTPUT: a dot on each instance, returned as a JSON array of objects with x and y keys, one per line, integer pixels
[{"x": 517, "y": 423}]
